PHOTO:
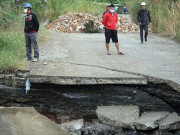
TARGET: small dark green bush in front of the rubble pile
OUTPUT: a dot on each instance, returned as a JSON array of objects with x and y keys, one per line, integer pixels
[{"x": 90, "y": 28}]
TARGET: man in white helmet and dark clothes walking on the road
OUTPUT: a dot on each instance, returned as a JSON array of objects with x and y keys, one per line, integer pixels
[{"x": 143, "y": 18}]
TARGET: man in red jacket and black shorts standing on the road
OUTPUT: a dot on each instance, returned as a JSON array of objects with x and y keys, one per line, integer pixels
[{"x": 109, "y": 21}]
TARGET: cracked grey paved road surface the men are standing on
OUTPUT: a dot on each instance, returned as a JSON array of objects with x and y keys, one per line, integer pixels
[{"x": 84, "y": 55}]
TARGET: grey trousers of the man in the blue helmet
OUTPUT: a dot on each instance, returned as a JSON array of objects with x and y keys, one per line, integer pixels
[{"x": 31, "y": 40}]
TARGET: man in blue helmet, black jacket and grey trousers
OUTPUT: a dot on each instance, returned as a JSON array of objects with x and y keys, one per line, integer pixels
[{"x": 31, "y": 31}]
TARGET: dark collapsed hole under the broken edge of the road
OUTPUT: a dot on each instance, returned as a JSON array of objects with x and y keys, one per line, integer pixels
[{"x": 62, "y": 103}]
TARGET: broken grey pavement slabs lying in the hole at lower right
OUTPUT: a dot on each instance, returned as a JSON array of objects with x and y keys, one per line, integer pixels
[{"x": 128, "y": 117}]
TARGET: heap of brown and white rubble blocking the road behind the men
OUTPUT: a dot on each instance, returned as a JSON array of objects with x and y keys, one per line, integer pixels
[{"x": 74, "y": 23}]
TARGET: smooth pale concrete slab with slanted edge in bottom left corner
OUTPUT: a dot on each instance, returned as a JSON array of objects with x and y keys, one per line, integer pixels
[{"x": 27, "y": 121}]
